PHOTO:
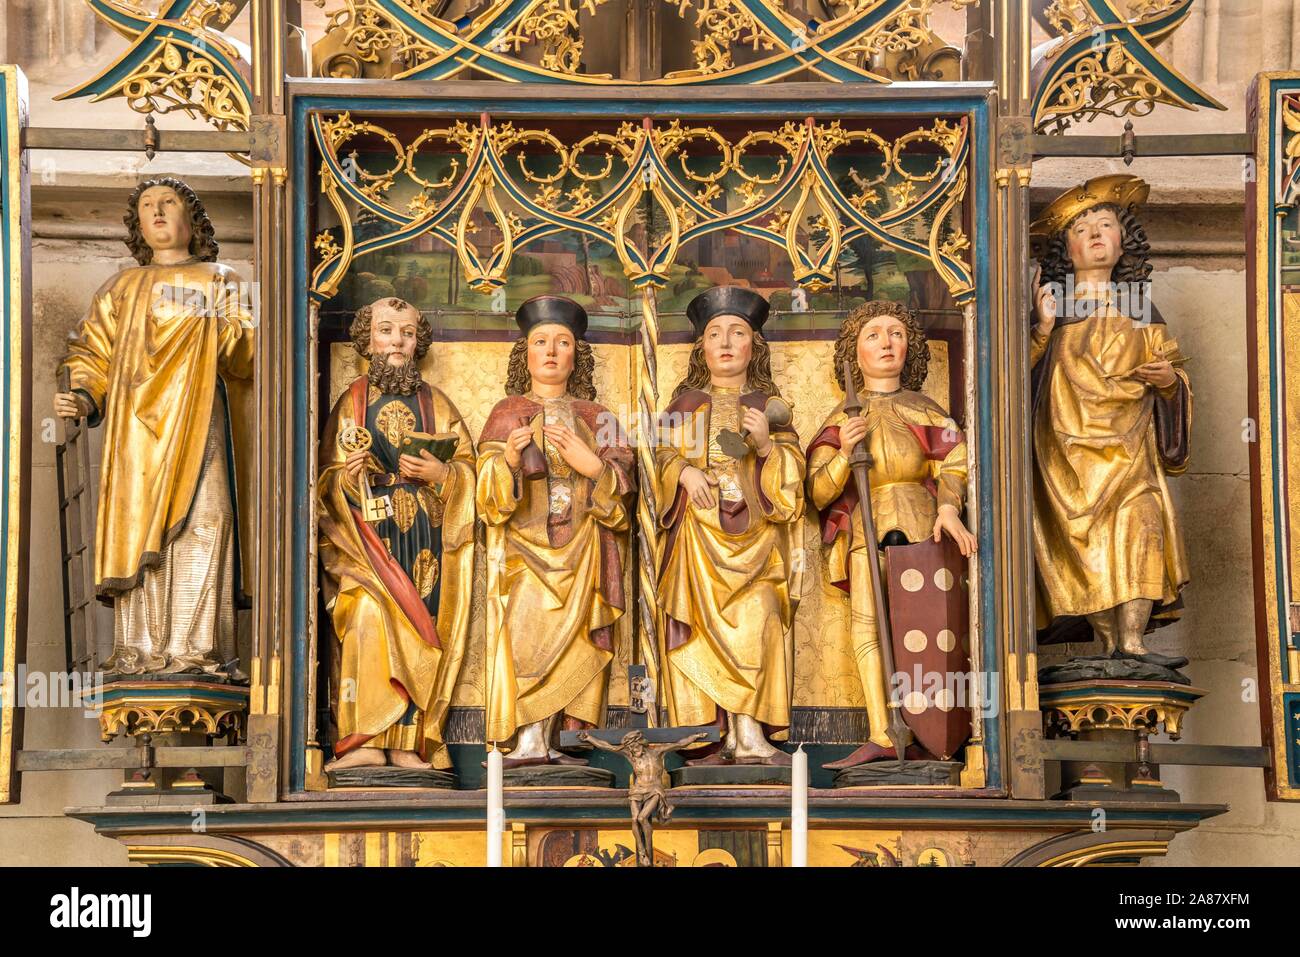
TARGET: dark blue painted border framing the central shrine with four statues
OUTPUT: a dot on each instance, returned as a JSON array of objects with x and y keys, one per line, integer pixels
[{"x": 671, "y": 103}]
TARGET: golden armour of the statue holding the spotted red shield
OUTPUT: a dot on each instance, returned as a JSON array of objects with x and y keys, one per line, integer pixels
[{"x": 918, "y": 464}]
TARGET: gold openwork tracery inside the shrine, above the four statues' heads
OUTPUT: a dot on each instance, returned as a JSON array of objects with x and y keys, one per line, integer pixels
[{"x": 645, "y": 190}]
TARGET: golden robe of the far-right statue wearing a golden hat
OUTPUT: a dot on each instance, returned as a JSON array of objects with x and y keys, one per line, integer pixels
[{"x": 1104, "y": 527}]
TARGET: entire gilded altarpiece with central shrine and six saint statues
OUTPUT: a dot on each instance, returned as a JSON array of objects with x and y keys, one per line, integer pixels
[{"x": 710, "y": 470}]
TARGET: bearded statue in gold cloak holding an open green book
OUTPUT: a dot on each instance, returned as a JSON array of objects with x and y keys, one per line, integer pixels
[{"x": 398, "y": 591}]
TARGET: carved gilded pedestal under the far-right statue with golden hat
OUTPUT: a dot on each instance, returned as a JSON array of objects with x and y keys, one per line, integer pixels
[{"x": 1110, "y": 712}]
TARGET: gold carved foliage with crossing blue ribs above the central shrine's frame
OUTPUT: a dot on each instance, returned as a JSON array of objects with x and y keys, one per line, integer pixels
[{"x": 409, "y": 40}]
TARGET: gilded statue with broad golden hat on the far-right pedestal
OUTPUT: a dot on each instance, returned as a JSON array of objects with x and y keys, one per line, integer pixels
[{"x": 1111, "y": 422}]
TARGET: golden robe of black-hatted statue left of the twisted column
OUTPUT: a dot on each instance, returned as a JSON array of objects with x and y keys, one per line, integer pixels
[{"x": 556, "y": 556}]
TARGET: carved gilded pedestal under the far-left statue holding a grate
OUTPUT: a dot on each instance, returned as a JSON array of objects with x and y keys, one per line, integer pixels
[{"x": 170, "y": 711}]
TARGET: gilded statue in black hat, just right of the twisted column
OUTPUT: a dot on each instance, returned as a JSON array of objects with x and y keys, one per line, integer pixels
[{"x": 730, "y": 475}]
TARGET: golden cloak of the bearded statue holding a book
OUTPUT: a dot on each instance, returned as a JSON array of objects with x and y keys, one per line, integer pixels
[{"x": 392, "y": 653}]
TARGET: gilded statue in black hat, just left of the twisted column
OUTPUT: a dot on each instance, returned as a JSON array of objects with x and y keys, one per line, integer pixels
[{"x": 554, "y": 482}]
